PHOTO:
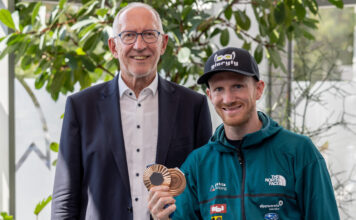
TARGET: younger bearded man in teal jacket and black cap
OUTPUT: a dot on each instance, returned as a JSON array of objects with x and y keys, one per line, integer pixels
[{"x": 251, "y": 168}]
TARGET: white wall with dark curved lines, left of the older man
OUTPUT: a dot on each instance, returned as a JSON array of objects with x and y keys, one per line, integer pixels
[{"x": 34, "y": 181}]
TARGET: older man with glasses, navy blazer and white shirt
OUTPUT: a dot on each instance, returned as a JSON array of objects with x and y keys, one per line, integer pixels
[{"x": 113, "y": 130}]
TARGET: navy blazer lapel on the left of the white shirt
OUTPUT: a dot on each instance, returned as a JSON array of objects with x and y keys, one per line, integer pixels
[{"x": 110, "y": 111}]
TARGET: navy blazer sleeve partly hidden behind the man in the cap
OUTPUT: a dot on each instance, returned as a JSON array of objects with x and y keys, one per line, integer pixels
[{"x": 203, "y": 127}]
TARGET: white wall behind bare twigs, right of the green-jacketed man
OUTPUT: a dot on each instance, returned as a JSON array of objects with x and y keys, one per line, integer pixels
[{"x": 340, "y": 154}]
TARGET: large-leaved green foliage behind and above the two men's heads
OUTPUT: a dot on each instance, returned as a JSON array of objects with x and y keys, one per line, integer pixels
[{"x": 66, "y": 44}]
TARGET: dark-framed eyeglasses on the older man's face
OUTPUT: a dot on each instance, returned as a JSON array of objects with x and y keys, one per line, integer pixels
[{"x": 130, "y": 37}]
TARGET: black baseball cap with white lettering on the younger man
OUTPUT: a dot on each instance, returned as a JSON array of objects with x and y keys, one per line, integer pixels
[{"x": 230, "y": 59}]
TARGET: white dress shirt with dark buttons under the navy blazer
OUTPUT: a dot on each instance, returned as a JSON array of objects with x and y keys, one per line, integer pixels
[{"x": 139, "y": 119}]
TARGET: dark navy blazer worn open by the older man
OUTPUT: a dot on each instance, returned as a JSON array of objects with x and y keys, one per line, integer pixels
[{"x": 91, "y": 180}]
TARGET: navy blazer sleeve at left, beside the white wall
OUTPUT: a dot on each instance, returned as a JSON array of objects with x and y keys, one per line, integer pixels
[{"x": 67, "y": 182}]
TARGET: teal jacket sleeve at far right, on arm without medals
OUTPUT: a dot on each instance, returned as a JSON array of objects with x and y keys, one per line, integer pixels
[{"x": 315, "y": 192}]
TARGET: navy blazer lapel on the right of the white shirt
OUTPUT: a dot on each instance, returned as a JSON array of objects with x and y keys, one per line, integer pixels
[{"x": 167, "y": 109}]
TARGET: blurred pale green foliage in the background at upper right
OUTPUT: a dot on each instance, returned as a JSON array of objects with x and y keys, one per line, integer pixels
[{"x": 332, "y": 46}]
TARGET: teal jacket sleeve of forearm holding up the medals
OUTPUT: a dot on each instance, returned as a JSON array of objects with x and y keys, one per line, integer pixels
[{"x": 187, "y": 203}]
